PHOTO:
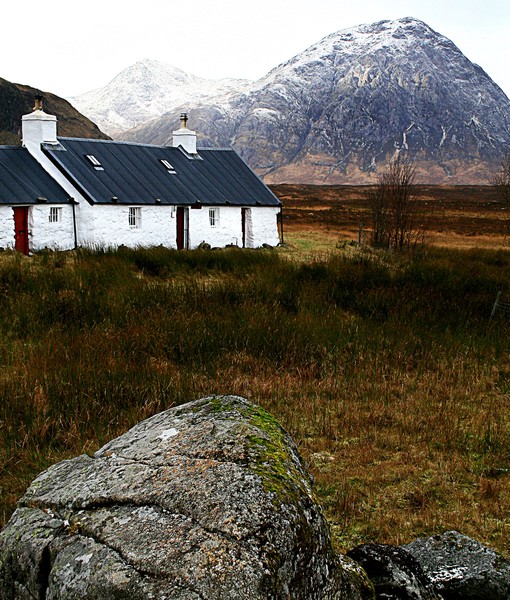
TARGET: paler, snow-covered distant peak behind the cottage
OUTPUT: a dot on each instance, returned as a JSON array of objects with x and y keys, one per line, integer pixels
[{"x": 147, "y": 90}]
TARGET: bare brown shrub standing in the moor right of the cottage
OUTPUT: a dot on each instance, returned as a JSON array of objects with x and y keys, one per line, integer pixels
[{"x": 393, "y": 204}]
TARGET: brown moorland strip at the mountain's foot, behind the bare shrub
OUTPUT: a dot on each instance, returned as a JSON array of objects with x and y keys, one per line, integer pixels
[{"x": 454, "y": 216}]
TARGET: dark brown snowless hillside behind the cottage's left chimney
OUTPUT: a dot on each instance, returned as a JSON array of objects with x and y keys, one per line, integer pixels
[{"x": 17, "y": 100}]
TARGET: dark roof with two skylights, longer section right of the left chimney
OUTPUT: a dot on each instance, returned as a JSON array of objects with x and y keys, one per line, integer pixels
[{"x": 133, "y": 174}]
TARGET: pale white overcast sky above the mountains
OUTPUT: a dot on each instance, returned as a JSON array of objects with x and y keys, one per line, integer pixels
[{"x": 70, "y": 47}]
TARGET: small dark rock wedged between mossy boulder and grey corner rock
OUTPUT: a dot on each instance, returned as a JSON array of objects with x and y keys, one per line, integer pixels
[{"x": 395, "y": 573}]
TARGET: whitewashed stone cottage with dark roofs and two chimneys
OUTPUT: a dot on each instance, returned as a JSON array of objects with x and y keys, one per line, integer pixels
[{"x": 61, "y": 193}]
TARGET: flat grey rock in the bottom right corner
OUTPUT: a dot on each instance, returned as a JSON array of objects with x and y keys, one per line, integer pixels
[{"x": 461, "y": 568}]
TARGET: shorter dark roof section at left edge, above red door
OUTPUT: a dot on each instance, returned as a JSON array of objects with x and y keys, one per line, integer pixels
[{"x": 23, "y": 180}]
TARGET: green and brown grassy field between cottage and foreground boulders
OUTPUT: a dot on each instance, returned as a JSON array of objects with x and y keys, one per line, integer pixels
[{"x": 387, "y": 371}]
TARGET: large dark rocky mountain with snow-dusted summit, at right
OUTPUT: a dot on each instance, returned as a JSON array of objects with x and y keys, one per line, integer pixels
[{"x": 339, "y": 111}]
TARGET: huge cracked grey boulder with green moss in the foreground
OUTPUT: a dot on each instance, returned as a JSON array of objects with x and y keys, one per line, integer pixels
[{"x": 206, "y": 500}]
